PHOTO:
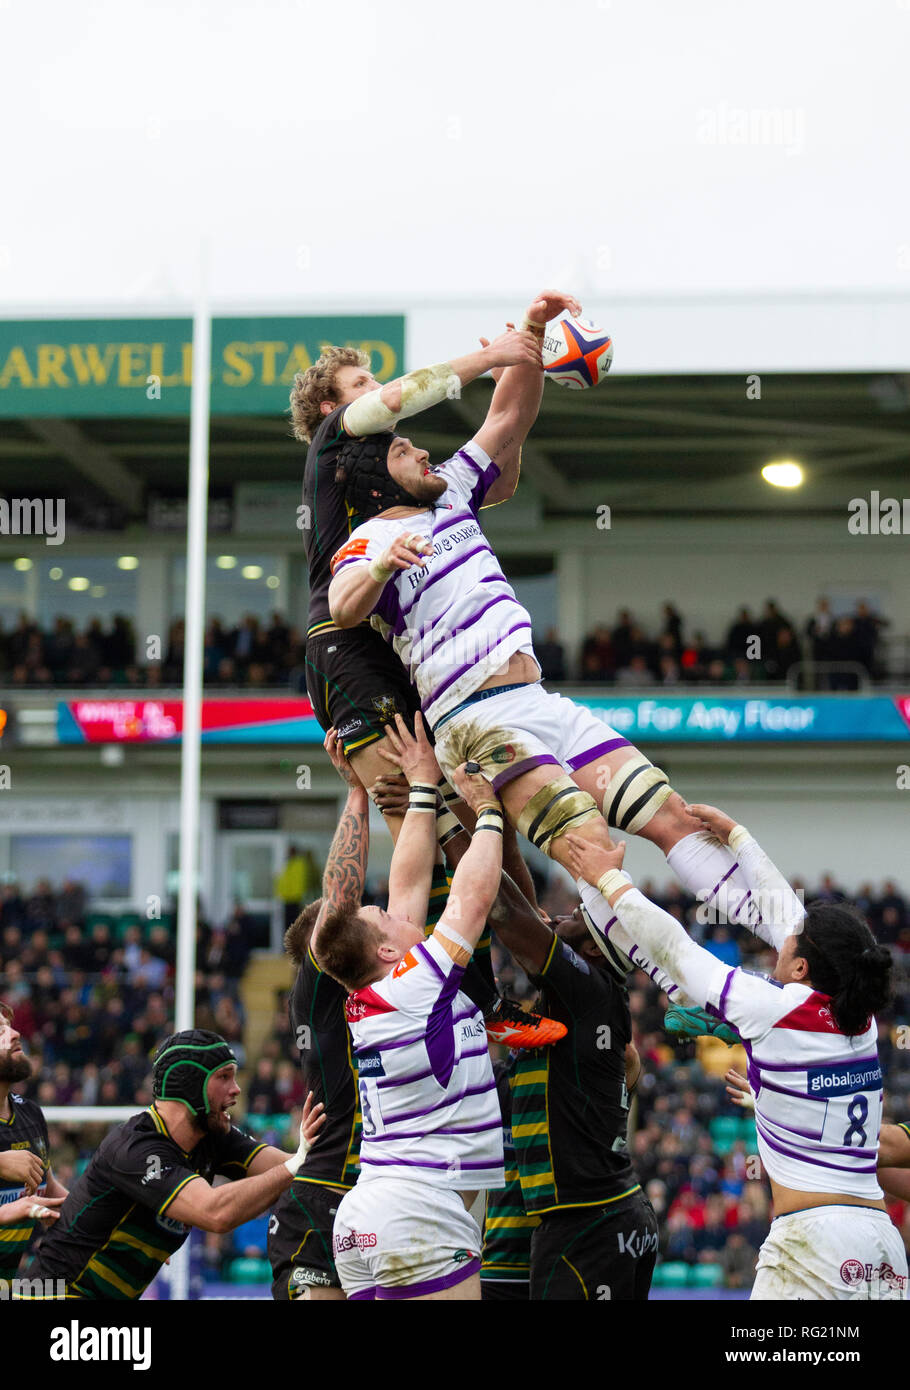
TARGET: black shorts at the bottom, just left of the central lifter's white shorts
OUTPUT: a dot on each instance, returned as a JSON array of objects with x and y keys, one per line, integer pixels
[{"x": 301, "y": 1241}]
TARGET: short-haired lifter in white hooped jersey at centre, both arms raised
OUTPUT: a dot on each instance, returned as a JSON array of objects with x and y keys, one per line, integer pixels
[{"x": 431, "y": 1120}]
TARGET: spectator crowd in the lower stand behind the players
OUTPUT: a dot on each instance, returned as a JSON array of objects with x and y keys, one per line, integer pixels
[{"x": 94, "y": 996}]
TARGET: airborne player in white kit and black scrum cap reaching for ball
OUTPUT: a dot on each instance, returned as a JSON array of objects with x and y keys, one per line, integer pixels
[{"x": 422, "y": 568}]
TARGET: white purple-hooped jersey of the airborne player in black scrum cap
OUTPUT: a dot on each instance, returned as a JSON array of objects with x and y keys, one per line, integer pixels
[{"x": 456, "y": 621}]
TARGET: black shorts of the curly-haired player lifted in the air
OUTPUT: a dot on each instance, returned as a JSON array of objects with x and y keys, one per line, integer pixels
[{"x": 358, "y": 685}]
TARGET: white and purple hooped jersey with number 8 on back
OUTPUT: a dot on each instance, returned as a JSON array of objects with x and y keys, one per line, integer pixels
[{"x": 818, "y": 1092}]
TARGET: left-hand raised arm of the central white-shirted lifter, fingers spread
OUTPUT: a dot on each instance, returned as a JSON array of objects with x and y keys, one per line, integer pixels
[{"x": 415, "y": 854}]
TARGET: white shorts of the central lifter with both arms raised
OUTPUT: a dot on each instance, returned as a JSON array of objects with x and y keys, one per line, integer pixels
[{"x": 397, "y": 1238}]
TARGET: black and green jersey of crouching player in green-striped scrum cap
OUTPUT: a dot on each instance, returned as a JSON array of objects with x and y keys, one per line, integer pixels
[{"x": 115, "y": 1232}]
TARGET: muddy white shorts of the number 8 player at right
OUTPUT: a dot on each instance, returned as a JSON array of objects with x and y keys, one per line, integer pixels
[{"x": 833, "y": 1253}]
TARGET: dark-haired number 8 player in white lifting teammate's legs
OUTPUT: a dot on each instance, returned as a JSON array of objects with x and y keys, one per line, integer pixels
[{"x": 811, "y": 1036}]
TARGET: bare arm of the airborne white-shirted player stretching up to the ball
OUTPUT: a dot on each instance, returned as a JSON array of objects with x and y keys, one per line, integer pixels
[{"x": 518, "y": 400}]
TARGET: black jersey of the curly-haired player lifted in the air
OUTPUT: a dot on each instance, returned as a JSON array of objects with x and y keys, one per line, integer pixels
[{"x": 327, "y": 523}]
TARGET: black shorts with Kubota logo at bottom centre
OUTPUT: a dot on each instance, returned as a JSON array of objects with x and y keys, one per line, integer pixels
[{"x": 595, "y": 1253}]
